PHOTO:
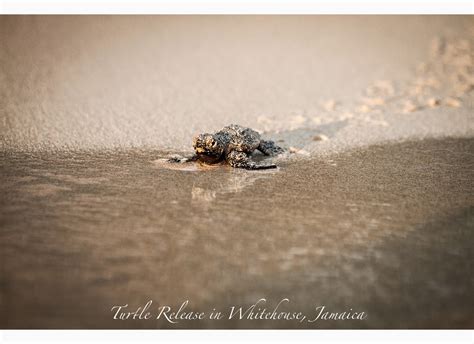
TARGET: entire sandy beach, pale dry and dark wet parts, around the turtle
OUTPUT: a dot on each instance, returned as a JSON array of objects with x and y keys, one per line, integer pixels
[{"x": 371, "y": 211}]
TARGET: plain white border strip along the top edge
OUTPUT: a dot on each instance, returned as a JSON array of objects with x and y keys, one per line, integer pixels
[{"x": 236, "y": 7}]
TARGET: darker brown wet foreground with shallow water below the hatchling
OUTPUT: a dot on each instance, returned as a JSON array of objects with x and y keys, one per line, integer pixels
[{"x": 387, "y": 230}]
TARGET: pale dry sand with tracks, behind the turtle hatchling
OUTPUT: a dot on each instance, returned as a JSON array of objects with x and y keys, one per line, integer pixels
[{"x": 132, "y": 81}]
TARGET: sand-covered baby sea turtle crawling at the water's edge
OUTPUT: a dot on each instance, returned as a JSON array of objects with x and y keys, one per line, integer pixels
[{"x": 233, "y": 144}]
